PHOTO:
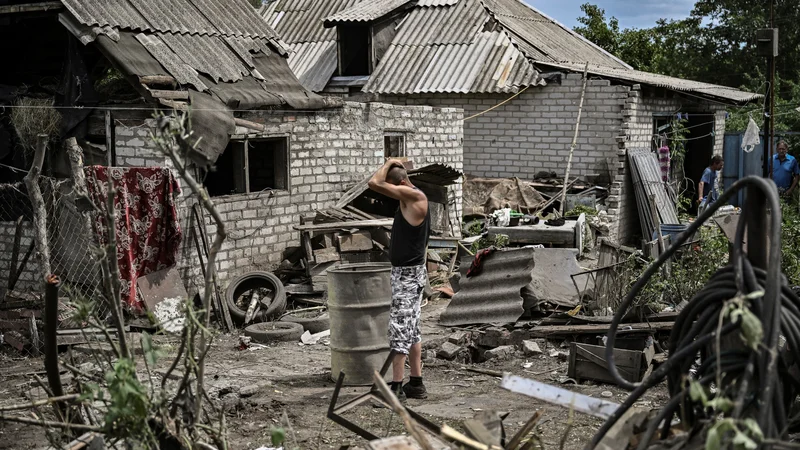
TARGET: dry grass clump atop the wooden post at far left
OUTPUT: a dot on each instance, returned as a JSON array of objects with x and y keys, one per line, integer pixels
[{"x": 32, "y": 117}]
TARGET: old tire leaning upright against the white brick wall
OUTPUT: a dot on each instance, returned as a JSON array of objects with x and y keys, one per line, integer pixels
[{"x": 265, "y": 282}]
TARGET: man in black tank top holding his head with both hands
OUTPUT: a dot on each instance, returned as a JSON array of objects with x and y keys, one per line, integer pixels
[{"x": 408, "y": 254}]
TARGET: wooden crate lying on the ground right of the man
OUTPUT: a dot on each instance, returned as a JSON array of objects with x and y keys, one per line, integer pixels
[{"x": 588, "y": 362}]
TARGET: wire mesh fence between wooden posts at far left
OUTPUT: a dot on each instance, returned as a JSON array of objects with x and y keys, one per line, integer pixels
[{"x": 73, "y": 257}]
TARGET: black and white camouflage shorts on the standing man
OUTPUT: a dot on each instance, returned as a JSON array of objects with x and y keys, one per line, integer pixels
[{"x": 407, "y": 286}]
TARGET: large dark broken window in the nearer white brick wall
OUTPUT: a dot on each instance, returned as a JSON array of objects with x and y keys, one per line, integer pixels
[{"x": 252, "y": 165}]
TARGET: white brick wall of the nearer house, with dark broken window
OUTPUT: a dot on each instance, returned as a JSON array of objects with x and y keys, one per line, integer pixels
[{"x": 330, "y": 151}]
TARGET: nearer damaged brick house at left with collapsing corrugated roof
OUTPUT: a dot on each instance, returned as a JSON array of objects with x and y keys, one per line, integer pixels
[{"x": 270, "y": 150}]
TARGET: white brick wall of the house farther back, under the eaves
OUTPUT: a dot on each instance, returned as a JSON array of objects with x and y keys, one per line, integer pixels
[{"x": 533, "y": 132}]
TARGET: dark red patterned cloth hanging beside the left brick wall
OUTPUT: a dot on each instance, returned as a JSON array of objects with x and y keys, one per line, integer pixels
[{"x": 147, "y": 230}]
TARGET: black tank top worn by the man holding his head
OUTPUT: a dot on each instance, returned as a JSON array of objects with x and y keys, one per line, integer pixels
[{"x": 409, "y": 242}]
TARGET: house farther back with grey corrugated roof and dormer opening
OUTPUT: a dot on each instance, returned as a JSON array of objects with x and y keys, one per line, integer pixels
[{"x": 517, "y": 74}]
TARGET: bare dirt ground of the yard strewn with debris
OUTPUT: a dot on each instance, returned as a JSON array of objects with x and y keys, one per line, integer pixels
[{"x": 291, "y": 380}]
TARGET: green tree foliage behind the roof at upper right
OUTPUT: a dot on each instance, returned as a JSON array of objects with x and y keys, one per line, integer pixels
[{"x": 715, "y": 44}]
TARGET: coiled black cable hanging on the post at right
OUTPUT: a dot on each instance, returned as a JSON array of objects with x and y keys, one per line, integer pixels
[{"x": 752, "y": 376}]
